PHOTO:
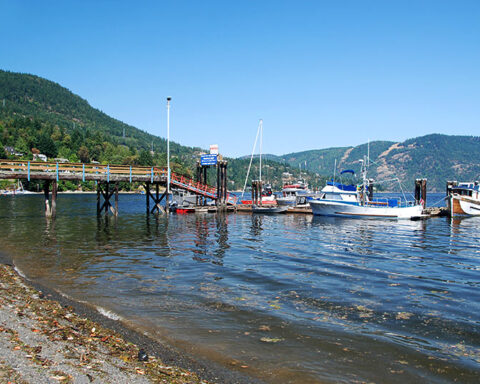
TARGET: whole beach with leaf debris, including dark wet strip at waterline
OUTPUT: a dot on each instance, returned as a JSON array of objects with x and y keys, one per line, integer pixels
[{"x": 45, "y": 337}]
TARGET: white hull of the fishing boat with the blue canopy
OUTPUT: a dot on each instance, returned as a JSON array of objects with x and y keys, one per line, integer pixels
[{"x": 340, "y": 209}]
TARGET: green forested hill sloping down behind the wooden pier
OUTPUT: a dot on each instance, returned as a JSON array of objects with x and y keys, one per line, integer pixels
[{"x": 40, "y": 116}]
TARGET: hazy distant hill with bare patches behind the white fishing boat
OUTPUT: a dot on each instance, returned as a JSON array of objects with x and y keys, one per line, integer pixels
[{"x": 437, "y": 157}]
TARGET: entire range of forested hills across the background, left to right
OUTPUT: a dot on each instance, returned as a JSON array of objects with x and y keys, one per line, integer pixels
[{"x": 40, "y": 114}]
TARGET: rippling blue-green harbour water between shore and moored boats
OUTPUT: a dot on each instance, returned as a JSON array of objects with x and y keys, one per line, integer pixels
[{"x": 287, "y": 298}]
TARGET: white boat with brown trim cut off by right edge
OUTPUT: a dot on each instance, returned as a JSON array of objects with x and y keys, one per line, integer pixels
[{"x": 463, "y": 199}]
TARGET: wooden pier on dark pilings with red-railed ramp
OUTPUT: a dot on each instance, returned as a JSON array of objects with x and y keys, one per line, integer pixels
[{"x": 107, "y": 178}]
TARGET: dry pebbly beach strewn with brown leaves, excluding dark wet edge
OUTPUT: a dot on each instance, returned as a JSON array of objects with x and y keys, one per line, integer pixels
[{"x": 42, "y": 341}]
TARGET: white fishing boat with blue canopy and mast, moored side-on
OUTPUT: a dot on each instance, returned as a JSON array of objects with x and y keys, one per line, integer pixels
[{"x": 337, "y": 199}]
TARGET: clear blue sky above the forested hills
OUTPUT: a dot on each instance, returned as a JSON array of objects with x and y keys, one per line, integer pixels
[{"x": 319, "y": 73}]
